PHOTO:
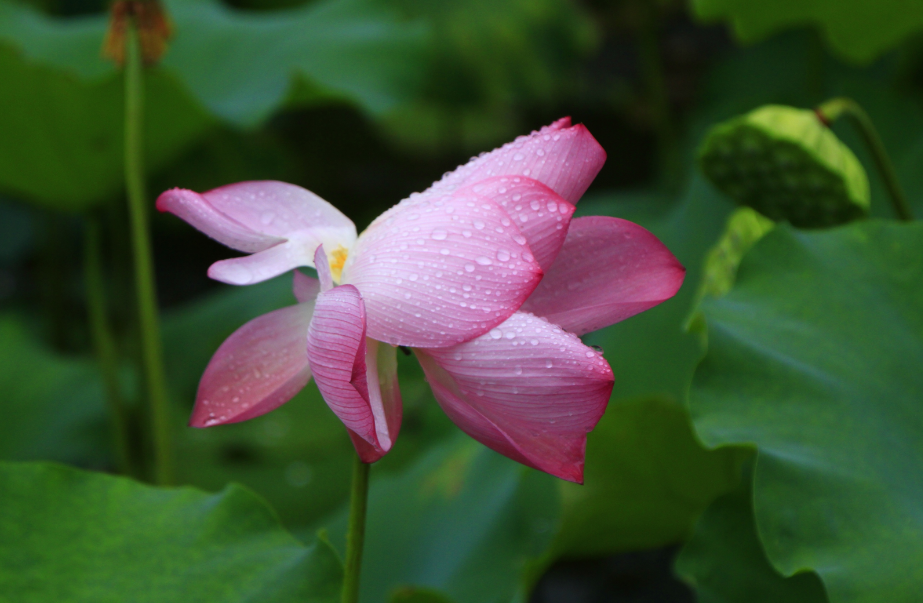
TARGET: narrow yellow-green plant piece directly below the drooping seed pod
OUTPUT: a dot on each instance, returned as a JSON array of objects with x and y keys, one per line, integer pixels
[{"x": 744, "y": 228}]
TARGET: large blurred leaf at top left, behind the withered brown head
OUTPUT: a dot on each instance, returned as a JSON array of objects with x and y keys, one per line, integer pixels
[{"x": 62, "y": 117}]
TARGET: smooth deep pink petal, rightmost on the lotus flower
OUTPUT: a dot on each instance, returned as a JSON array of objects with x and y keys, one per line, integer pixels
[{"x": 608, "y": 270}]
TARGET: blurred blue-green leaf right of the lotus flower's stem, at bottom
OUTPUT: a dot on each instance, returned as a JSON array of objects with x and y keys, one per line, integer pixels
[{"x": 462, "y": 519}]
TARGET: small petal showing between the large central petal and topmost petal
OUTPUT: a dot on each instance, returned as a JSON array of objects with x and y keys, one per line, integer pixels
[{"x": 541, "y": 215}]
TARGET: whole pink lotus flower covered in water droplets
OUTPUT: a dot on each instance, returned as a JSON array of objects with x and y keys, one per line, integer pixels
[{"x": 484, "y": 275}]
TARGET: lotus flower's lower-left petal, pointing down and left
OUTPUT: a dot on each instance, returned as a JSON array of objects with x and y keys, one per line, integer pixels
[{"x": 256, "y": 370}]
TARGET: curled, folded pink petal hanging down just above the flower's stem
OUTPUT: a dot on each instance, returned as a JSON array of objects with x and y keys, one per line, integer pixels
[{"x": 337, "y": 350}]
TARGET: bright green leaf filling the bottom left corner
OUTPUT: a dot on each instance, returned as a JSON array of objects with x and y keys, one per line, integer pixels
[{"x": 69, "y": 535}]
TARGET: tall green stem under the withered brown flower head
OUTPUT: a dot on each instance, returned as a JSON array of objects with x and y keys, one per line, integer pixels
[{"x": 152, "y": 355}]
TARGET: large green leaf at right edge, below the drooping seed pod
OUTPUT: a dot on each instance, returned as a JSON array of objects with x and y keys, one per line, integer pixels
[{"x": 814, "y": 358}]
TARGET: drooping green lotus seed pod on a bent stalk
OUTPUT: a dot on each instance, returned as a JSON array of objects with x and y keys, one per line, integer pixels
[{"x": 786, "y": 164}]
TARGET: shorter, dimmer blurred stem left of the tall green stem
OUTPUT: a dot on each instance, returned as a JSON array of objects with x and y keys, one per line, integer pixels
[{"x": 104, "y": 343}]
